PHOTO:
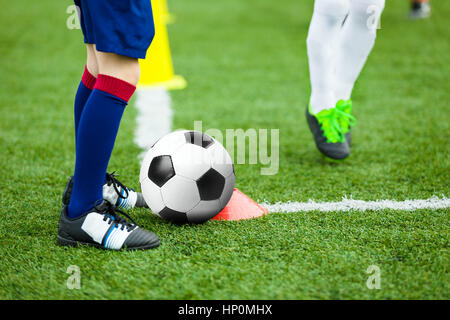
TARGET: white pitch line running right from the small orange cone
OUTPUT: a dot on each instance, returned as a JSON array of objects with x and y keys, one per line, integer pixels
[{"x": 359, "y": 205}]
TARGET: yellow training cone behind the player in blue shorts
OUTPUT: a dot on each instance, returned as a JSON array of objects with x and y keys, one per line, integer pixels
[{"x": 157, "y": 67}]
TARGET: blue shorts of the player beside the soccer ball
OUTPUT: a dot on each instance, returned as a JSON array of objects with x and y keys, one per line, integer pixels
[{"x": 123, "y": 27}]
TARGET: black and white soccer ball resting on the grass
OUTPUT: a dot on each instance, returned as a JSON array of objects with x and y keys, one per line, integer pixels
[{"x": 187, "y": 176}]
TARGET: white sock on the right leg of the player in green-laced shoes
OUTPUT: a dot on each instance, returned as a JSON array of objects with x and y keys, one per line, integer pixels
[{"x": 355, "y": 43}]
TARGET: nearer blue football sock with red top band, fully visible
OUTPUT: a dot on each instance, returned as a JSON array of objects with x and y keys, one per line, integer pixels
[{"x": 97, "y": 131}]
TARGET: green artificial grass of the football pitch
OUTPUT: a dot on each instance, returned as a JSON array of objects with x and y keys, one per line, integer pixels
[{"x": 246, "y": 66}]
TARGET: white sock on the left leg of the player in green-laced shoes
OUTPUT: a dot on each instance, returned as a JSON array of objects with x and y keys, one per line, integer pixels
[{"x": 324, "y": 30}]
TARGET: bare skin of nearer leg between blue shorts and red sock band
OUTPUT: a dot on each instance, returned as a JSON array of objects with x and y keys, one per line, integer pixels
[{"x": 122, "y": 67}]
